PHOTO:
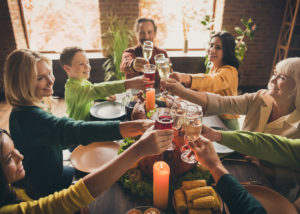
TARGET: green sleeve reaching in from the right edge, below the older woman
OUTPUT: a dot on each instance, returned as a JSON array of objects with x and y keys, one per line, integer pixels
[{"x": 273, "y": 148}]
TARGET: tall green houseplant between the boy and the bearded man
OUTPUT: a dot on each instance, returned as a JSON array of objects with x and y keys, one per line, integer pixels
[{"x": 118, "y": 37}]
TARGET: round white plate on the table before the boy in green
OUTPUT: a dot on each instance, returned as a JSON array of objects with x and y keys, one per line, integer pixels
[{"x": 107, "y": 110}]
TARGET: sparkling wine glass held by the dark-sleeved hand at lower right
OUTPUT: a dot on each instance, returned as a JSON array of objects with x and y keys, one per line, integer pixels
[{"x": 192, "y": 128}]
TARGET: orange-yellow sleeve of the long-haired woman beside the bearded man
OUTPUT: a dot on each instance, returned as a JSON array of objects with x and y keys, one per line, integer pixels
[{"x": 224, "y": 78}]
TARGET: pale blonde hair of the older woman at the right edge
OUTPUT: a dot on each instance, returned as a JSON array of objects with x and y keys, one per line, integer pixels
[{"x": 291, "y": 68}]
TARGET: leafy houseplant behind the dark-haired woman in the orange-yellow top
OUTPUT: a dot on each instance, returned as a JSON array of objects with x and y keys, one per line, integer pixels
[{"x": 240, "y": 48}]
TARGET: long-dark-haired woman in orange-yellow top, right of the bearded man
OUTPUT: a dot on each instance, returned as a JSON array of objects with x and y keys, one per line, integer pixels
[{"x": 223, "y": 75}]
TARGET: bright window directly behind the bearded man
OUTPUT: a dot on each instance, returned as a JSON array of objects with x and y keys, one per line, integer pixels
[{"x": 178, "y": 20}]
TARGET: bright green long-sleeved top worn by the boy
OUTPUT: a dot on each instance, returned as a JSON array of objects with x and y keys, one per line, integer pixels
[{"x": 80, "y": 95}]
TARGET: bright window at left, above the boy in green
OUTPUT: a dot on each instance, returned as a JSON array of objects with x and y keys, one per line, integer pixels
[{"x": 54, "y": 24}]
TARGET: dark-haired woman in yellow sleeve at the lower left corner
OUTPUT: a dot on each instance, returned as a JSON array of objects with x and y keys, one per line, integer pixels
[{"x": 14, "y": 200}]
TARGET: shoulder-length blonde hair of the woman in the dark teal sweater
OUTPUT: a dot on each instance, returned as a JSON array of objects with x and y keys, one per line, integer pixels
[{"x": 20, "y": 78}]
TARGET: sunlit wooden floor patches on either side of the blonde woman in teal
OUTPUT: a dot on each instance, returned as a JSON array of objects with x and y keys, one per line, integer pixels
[{"x": 58, "y": 109}]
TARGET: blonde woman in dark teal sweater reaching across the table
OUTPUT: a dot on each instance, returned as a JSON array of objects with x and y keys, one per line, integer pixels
[{"x": 40, "y": 136}]
